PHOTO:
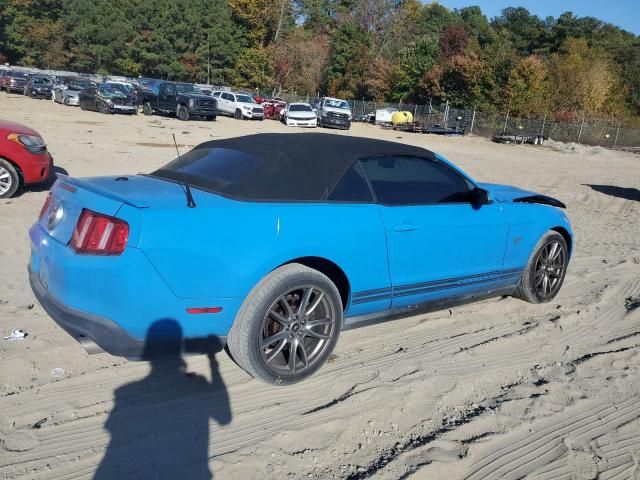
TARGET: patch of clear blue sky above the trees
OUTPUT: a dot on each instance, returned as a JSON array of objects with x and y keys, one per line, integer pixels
[{"x": 623, "y": 13}]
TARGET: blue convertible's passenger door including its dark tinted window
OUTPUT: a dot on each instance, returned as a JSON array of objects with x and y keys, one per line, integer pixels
[{"x": 440, "y": 243}]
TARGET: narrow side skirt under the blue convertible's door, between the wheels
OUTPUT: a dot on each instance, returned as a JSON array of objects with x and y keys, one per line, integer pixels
[{"x": 426, "y": 307}]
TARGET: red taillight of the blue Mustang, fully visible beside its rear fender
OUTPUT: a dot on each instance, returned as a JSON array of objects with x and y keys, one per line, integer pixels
[{"x": 99, "y": 234}]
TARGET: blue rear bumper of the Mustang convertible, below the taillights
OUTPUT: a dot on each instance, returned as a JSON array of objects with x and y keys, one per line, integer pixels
[{"x": 115, "y": 301}]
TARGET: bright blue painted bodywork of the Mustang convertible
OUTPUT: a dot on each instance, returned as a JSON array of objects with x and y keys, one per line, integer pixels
[{"x": 213, "y": 255}]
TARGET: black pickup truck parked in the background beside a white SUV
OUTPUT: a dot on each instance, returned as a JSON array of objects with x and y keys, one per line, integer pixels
[{"x": 183, "y": 99}]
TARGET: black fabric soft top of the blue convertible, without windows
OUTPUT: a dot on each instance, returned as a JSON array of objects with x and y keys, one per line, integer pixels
[{"x": 301, "y": 166}]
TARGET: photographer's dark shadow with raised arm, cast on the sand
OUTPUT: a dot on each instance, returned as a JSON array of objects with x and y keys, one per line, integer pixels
[{"x": 159, "y": 425}]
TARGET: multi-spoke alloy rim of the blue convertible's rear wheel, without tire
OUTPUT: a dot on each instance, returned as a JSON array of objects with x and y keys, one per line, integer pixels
[{"x": 297, "y": 330}]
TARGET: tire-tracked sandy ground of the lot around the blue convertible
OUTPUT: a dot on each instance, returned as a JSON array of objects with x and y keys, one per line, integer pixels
[{"x": 498, "y": 389}]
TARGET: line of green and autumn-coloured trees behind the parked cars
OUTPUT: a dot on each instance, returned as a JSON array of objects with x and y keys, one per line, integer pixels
[{"x": 383, "y": 50}]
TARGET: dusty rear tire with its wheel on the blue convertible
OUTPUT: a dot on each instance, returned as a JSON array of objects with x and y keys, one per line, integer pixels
[{"x": 257, "y": 318}]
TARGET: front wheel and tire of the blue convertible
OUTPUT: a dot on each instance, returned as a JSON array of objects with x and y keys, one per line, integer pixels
[{"x": 533, "y": 287}]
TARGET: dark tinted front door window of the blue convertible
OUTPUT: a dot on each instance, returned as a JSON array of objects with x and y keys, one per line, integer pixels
[{"x": 415, "y": 181}]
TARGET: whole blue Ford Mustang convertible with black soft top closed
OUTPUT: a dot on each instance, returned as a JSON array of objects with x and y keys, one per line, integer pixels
[{"x": 274, "y": 243}]
